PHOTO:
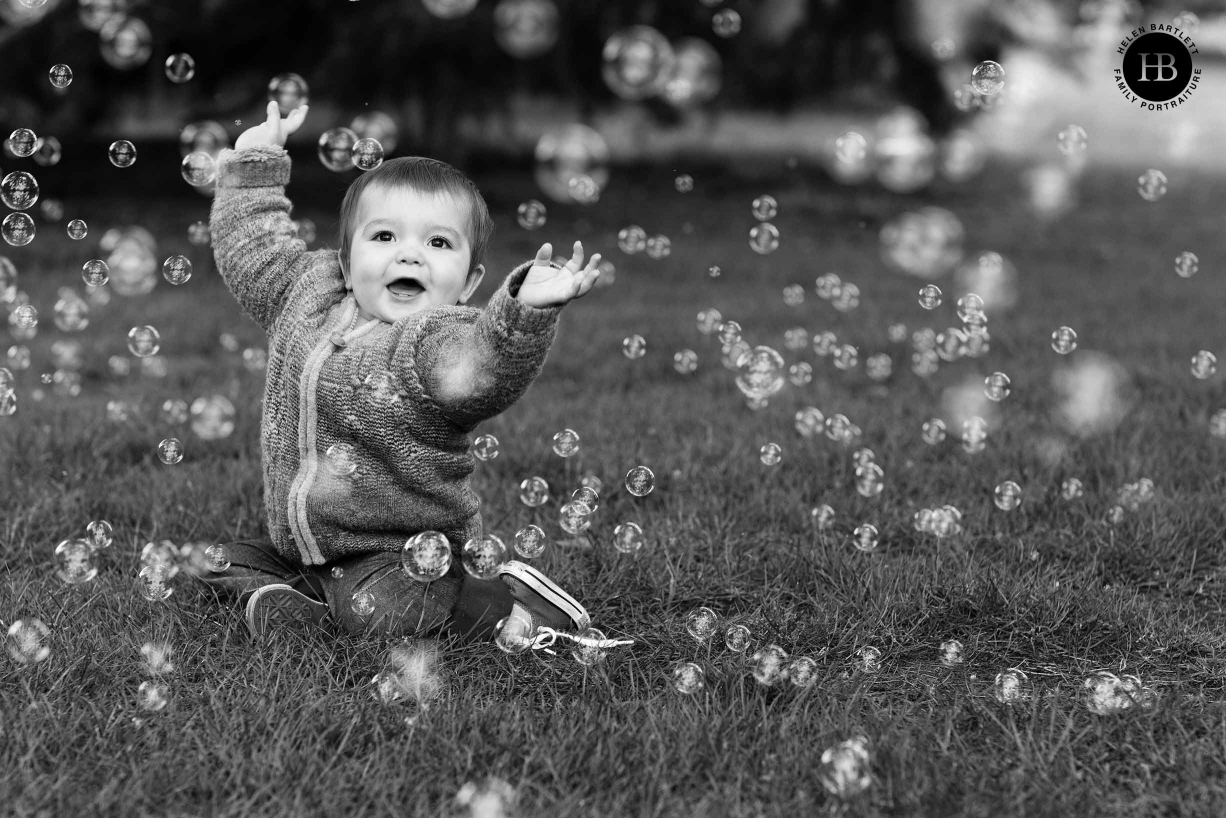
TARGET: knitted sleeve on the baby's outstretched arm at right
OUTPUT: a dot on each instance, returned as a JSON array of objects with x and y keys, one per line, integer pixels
[{"x": 475, "y": 371}]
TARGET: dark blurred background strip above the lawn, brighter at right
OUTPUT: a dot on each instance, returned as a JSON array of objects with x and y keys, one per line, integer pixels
[{"x": 655, "y": 80}]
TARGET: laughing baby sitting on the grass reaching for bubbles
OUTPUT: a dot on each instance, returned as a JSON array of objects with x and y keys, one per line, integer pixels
[{"x": 377, "y": 375}]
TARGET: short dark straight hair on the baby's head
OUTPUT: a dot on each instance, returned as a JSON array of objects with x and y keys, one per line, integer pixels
[{"x": 422, "y": 175}]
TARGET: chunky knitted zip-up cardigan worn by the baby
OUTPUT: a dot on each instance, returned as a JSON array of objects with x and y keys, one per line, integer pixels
[{"x": 365, "y": 436}]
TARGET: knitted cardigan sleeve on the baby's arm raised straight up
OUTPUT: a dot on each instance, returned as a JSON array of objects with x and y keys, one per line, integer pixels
[{"x": 254, "y": 242}]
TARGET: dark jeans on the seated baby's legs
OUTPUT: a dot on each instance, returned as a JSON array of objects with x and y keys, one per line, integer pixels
[{"x": 463, "y": 606}]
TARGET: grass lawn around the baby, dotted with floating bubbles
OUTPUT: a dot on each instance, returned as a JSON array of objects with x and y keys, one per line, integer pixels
[{"x": 290, "y": 728}]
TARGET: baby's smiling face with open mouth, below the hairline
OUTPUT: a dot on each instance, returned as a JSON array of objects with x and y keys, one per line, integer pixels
[{"x": 410, "y": 253}]
